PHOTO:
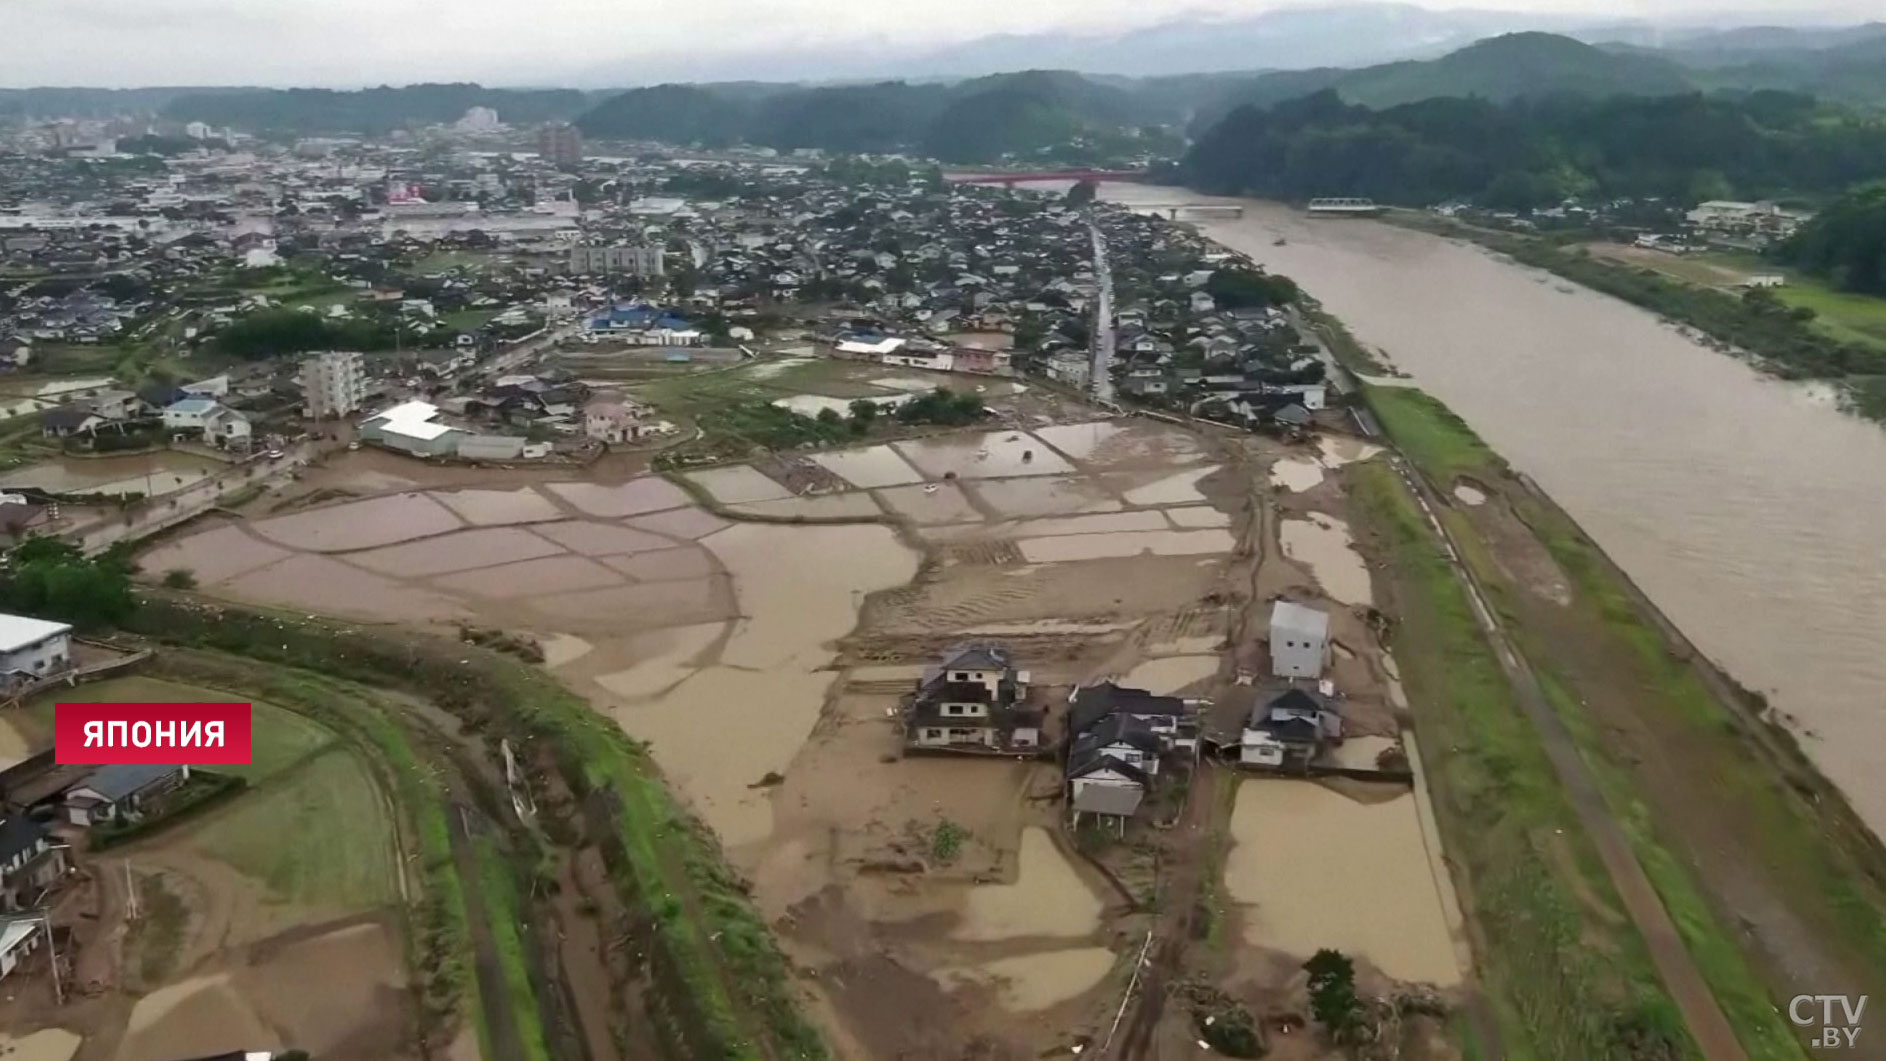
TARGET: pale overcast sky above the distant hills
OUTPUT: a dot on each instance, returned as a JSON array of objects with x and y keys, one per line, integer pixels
[{"x": 546, "y": 42}]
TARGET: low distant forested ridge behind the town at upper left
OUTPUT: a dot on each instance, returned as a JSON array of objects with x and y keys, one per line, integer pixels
[{"x": 369, "y": 112}]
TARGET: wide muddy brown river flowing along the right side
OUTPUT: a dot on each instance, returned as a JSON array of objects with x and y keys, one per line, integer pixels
[{"x": 1751, "y": 510}]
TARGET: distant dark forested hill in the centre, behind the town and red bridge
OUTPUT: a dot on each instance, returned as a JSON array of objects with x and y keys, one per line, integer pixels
[{"x": 1036, "y": 112}]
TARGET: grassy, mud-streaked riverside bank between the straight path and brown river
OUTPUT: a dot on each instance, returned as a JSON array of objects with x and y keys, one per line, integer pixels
[{"x": 1678, "y": 747}]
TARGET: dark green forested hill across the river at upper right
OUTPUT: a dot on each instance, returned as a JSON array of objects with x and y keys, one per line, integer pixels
[{"x": 1525, "y": 154}]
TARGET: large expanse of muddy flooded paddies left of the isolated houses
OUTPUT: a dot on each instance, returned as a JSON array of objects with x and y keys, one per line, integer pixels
[{"x": 763, "y": 662}]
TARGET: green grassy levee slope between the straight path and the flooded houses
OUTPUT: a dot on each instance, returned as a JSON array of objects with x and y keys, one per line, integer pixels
[{"x": 1568, "y": 977}]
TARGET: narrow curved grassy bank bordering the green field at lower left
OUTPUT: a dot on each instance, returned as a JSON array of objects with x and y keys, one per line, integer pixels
[{"x": 442, "y": 945}]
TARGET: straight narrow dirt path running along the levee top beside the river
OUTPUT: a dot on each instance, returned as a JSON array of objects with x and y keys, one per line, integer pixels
[{"x": 1668, "y": 953}]
